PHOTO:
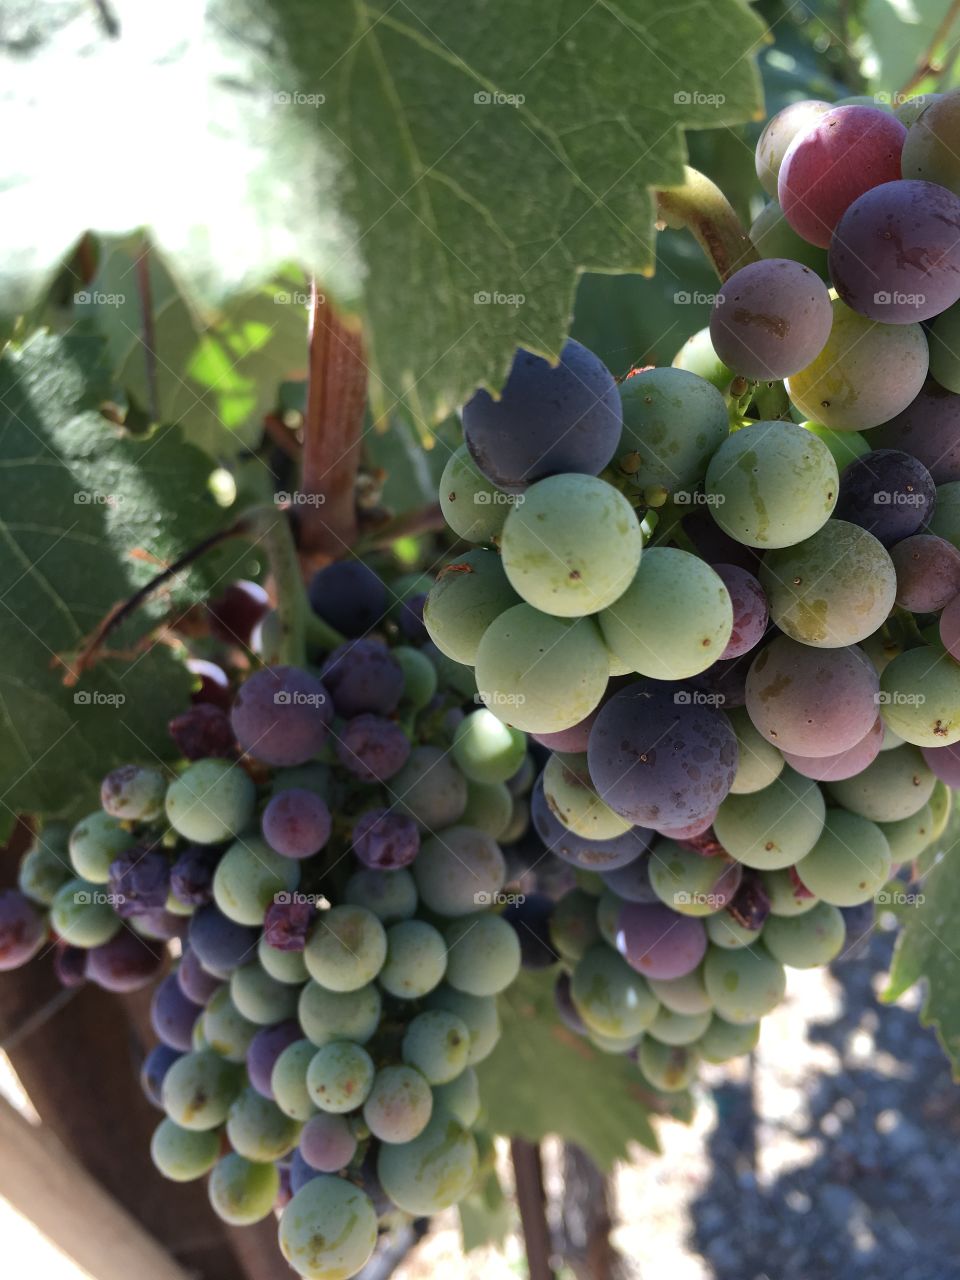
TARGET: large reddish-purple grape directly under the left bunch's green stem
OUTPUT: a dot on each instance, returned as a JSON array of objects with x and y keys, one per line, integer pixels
[{"x": 282, "y": 716}]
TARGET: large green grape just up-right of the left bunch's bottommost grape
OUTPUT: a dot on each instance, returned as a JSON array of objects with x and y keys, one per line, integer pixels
[{"x": 433, "y": 1172}]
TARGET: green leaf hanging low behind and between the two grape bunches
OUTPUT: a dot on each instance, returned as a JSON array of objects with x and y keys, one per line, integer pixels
[{"x": 545, "y": 1080}]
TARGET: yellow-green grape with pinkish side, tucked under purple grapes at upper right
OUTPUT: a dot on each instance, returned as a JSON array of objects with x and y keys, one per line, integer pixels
[{"x": 867, "y": 373}]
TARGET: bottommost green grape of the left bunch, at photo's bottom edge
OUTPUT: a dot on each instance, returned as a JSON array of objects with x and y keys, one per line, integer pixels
[{"x": 328, "y": 1232}]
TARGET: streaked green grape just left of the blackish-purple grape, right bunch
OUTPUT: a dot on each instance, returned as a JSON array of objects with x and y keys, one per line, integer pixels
[{"x": 772, "y": 484}]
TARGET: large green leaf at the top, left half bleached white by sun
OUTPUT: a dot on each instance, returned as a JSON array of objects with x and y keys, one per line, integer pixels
[{"x": 419, "y": 159}]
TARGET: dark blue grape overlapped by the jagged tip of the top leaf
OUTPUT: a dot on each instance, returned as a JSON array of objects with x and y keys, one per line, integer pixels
[{"x": 547, "y": 422}]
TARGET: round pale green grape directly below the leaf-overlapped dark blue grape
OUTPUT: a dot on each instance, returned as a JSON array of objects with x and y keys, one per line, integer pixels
[{"x": 573, "y": 543}]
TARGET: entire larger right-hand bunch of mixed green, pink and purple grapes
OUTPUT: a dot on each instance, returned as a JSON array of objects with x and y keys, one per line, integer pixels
[{"x": 725, "y": 597}]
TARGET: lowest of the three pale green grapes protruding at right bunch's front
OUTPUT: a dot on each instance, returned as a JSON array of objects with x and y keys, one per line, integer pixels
[{"x": 538, "y": 673}]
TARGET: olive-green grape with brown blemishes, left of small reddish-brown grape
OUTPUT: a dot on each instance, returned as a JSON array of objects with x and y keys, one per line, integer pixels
[{"x": 831, "y": 591}]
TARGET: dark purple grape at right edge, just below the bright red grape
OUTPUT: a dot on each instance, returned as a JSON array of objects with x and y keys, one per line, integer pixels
[{"x": 895, "y": 255}]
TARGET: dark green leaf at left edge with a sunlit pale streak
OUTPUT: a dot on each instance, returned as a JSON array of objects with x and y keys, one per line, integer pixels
[{"x": 90, "y": 514}]
